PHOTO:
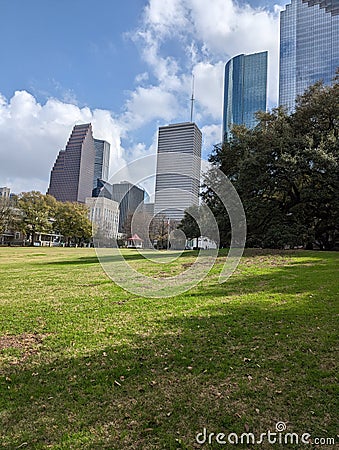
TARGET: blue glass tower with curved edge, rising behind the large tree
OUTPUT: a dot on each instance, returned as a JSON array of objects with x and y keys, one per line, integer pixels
[{"x": 245, "y": 90}]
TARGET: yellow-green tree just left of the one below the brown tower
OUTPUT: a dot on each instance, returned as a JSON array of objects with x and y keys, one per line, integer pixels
[{"x": 36, "y": 212}]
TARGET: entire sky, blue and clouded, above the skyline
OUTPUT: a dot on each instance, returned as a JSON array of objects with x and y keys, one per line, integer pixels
[{"x": 125, "y": 66}]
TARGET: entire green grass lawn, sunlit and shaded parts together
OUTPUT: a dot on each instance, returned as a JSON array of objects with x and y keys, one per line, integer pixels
[{"x": 86, "y": 365}]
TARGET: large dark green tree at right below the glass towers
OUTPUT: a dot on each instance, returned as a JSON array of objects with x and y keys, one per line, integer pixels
[{"x": 286, "y": 172}]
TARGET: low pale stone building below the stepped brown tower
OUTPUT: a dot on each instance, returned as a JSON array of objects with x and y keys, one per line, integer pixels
[{"x": 104, "y": 213}]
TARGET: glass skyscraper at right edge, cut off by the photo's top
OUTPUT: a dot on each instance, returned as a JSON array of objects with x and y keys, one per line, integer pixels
[{"x": 309, "y": 46}]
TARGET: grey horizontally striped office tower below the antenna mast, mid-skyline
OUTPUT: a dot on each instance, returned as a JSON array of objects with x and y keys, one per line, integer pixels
[{"x": 178, "y": 169}]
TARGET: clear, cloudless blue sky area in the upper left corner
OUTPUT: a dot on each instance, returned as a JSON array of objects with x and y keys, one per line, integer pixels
[{"x": 70, "y": 49}]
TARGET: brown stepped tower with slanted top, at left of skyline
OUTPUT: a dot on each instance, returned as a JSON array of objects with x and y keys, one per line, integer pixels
[{"x": 72, "y": 174}]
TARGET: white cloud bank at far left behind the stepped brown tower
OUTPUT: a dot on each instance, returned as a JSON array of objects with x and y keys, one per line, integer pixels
[{"x": 31, "y": 135}]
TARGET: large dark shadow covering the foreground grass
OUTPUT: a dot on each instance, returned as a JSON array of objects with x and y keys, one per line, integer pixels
[{"x": 155, "y": 388}]
